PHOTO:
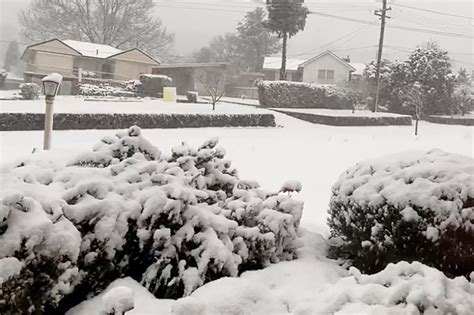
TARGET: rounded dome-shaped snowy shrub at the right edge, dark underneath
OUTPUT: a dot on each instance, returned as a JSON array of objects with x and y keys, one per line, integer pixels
[{"x": 410, "y": 206}]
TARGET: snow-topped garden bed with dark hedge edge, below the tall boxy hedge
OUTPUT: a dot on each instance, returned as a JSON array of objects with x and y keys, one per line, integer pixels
[{"x": 346, "y": 117}]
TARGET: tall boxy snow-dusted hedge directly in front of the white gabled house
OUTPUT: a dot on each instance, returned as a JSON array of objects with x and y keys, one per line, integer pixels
[{"x": 283, "y": 94}]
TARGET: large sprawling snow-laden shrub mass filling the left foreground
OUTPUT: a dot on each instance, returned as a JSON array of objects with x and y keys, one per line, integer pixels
[{"x": 172, "y": 223}]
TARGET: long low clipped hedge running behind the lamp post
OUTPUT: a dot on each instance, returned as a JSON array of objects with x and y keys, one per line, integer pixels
[{"x": 63, "y": 121}]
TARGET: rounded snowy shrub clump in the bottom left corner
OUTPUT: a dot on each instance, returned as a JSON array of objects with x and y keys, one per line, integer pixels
[{"x": 39, "y": 250}]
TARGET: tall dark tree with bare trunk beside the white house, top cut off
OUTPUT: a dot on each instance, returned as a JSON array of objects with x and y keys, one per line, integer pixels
[{"x": 286, "y": 18}]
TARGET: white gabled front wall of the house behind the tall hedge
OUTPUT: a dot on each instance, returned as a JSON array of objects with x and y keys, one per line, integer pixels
[{"x": 326, "y": 62}]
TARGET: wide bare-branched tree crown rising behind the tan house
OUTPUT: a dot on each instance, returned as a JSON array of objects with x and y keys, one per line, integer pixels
[{"x": 119, "y": 23}]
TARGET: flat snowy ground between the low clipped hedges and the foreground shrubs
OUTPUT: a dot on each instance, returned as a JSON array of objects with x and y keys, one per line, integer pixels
[{"x": 314, "y": 154}]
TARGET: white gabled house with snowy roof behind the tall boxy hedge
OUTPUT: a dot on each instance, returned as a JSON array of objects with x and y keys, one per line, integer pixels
[{"x": 325, "y": 68}]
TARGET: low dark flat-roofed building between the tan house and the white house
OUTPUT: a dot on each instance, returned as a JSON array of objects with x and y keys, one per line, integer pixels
[{"x": 187, "y": 76}]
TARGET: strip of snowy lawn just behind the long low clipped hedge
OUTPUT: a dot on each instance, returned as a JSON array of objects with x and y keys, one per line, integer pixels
[{"x": 75, "y": 104}]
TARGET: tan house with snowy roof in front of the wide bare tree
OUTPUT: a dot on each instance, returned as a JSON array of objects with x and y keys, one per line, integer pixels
[{"x": 97, "y": 62}]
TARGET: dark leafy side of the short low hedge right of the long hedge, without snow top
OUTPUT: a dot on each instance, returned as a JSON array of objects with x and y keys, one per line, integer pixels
[{"x": 350, "y": 121}]
